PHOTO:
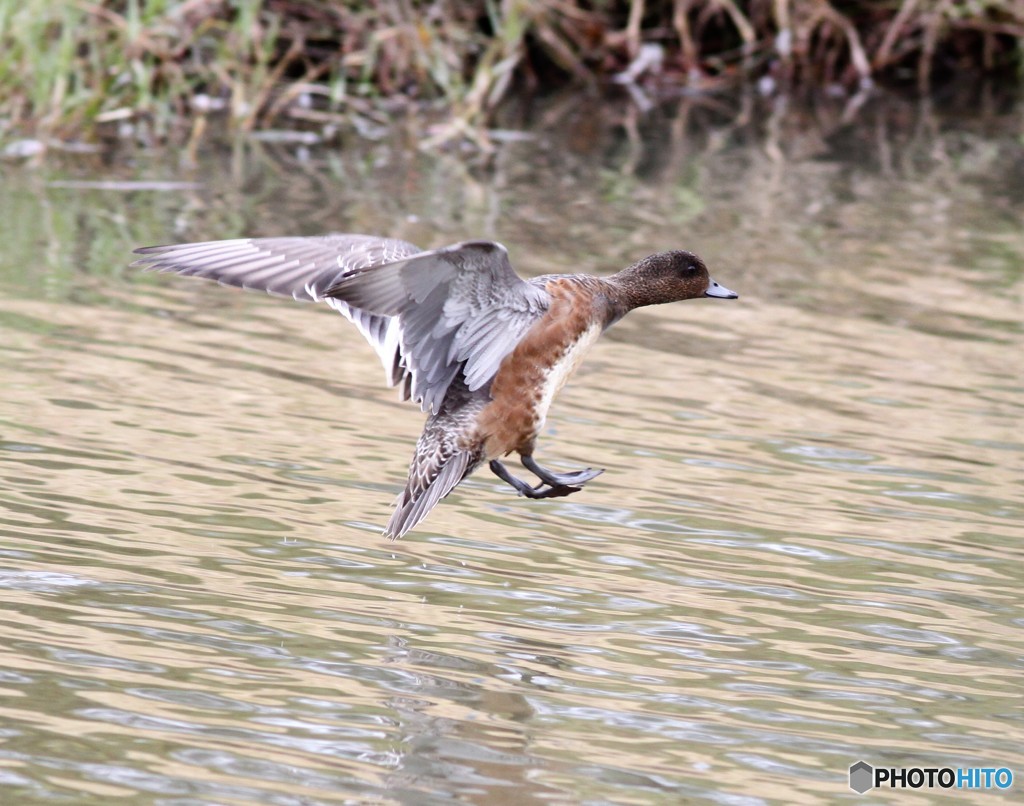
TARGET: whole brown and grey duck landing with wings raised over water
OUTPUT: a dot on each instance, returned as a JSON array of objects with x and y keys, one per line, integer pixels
[{"x": 481, "y": 350}]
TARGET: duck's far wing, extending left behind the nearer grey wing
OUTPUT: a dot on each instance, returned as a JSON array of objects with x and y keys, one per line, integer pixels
[{"x": 300, "y": 268}]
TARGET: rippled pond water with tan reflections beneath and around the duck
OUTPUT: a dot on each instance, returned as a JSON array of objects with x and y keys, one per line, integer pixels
[{"x": 805, "y": 550}]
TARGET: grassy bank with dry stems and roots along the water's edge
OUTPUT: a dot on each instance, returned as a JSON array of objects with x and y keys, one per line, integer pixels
[{"x": 87, "y": 68}]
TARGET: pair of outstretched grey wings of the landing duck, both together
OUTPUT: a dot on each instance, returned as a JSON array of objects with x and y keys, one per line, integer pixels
[{"x": 429, "y": 315}]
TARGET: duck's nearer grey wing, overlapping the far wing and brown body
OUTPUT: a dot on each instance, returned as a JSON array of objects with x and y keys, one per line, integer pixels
[{"x": 460, "y": 308}]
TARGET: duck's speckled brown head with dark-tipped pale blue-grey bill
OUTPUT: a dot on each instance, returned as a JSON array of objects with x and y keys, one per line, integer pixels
[{"x": 669, "y": 277}]
